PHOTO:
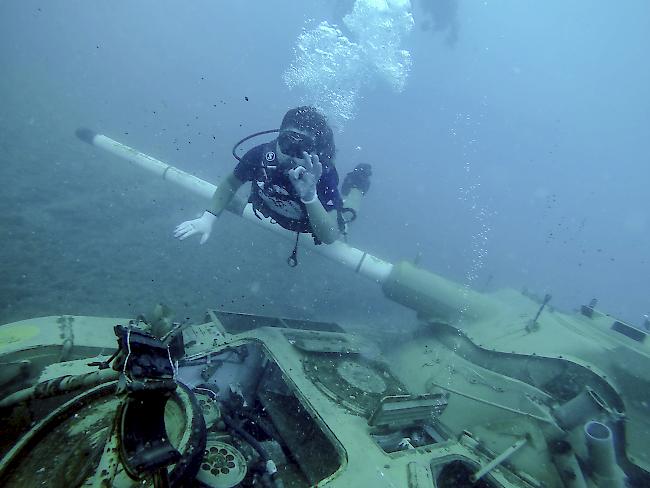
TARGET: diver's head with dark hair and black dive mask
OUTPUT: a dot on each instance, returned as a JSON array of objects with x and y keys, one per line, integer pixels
[{"x": 305, "y": 129}]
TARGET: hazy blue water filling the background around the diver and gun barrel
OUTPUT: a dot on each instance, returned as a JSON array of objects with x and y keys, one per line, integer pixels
[{"x": 514, "y": 155}]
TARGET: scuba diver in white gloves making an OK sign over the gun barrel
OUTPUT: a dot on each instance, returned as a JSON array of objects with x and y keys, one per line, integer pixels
[{"x": 293, "y": 182}]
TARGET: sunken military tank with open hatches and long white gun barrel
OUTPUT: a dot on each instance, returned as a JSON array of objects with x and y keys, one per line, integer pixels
[{"x": 492, "y": 390}]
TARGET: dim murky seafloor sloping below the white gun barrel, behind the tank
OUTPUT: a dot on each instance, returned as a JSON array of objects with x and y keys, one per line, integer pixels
[{"x": 84, "y": 233}]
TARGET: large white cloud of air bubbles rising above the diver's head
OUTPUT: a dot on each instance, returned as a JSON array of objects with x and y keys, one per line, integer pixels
[{"x": 331, "y": 69}]
